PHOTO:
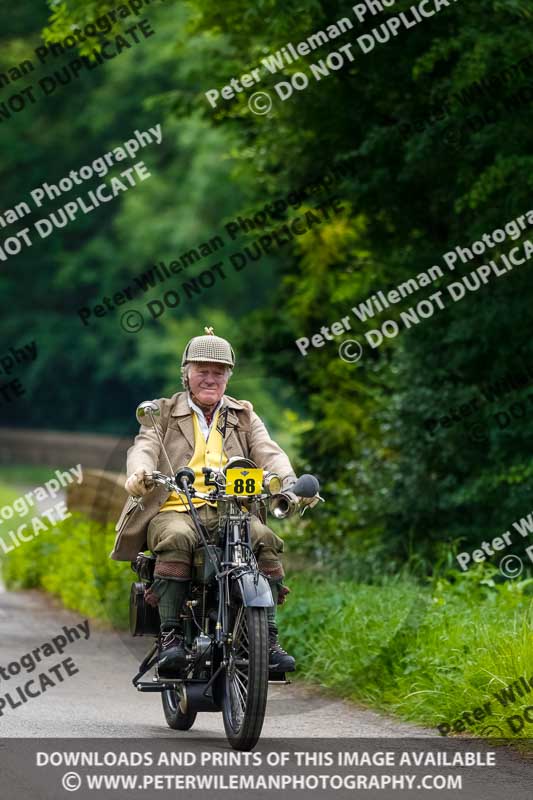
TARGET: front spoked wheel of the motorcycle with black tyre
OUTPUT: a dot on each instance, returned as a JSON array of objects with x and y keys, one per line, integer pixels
[{"x": 246, "y": 679}]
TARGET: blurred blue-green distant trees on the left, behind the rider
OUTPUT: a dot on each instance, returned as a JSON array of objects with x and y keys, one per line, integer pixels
[{"x": 186, "y": 202}]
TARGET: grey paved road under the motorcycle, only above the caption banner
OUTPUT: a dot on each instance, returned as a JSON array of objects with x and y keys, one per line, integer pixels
[{"x": 106, "y": 704}]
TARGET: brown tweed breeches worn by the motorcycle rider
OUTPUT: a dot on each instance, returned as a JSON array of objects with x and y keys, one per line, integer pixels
[{"x": 173, "y": 538}]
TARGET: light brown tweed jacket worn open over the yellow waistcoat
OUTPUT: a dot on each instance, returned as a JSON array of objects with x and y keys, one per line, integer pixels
[{"x": 246, "y": 435}]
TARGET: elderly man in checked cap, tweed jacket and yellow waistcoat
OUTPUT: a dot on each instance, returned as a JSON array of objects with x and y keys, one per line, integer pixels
[{"x": 203, "y": 428}]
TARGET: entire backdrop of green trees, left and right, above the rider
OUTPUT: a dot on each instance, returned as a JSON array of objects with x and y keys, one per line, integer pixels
[{"x": 395, "y": 492}]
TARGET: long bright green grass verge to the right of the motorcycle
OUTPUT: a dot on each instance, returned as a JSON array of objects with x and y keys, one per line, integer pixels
[{"x": 398, "y": 646}]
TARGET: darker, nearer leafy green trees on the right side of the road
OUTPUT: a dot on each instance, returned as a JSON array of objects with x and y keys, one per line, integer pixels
[{"x": 393, "y": 490}]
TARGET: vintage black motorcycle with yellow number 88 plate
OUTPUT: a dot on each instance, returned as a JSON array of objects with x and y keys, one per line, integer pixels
[{"x": 225, "y": 616}]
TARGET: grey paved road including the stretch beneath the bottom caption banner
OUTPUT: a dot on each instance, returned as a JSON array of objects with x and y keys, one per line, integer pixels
[{"x": 99, "y": 701}]
